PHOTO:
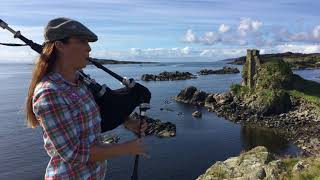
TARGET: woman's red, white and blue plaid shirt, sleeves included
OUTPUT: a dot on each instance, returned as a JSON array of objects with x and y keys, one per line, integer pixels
[{"x": 70, "y": 119}]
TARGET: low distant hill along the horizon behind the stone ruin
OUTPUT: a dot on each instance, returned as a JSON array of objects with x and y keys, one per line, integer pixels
[{"x": 296, "y": 60}]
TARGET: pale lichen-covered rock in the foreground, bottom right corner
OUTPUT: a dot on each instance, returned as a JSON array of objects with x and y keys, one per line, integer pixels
[{"x": 258, "y": 163}]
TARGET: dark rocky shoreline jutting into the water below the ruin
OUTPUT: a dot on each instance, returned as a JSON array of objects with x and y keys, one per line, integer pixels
[{"x": 300, "y": 125}]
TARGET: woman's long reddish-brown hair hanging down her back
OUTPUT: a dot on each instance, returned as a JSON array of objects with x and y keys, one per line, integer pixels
[{"x": 43, "y": 66}]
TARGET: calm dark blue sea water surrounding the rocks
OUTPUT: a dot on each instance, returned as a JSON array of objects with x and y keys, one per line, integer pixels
[{"x": 198, "y": 144}]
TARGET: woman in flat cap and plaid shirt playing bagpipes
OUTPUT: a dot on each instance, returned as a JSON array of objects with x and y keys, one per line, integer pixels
[{"x": 66, "y": 110}]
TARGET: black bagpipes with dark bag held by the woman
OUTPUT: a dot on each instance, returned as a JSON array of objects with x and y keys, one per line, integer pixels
[{"x": 115, "y": 105}]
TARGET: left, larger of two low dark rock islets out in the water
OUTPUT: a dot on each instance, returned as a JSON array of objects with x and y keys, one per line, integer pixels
[{"x": 168, "y": 76}]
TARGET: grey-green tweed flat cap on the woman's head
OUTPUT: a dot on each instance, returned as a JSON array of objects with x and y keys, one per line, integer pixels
[{"x": 61, "y": 28}]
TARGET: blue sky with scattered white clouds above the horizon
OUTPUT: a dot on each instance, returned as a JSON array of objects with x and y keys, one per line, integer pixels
[{"x": 170, "y": 30}]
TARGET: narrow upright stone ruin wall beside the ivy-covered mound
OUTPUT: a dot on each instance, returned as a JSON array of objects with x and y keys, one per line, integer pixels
[{"x": 250, "y": 68}]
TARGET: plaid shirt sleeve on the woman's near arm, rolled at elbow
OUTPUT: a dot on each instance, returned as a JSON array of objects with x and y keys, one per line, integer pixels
[{"x": 56, "y": 120}]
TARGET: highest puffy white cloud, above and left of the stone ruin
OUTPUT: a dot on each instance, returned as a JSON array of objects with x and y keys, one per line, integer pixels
[{"x": 247, "y": 25}]
